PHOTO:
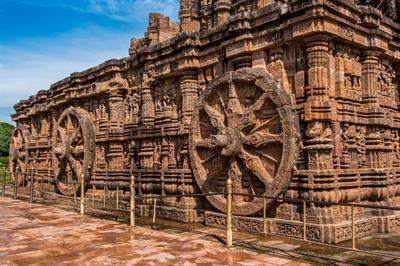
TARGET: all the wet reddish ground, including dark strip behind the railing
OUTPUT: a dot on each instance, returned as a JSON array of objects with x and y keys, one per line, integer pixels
[{"x": 46, "y": 235}]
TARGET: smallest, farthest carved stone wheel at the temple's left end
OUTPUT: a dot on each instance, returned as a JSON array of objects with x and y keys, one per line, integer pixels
[{"x": 19, "y": 153}]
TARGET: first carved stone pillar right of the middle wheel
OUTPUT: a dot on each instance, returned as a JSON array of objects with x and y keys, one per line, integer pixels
[{"x": 116, "y": 104}]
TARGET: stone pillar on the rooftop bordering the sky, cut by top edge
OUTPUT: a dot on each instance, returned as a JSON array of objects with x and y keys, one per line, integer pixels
[{"x": 189, "y": 15}]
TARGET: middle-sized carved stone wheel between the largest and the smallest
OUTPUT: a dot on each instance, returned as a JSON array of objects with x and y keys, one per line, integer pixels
[{"x": 73, "y": 150}]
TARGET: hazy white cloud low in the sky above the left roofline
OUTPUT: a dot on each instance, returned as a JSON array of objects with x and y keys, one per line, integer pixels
[{"x": 37, "y": 63}]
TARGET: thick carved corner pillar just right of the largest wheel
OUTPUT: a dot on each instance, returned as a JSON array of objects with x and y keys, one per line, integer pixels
[{"x": 318, "y": 105}]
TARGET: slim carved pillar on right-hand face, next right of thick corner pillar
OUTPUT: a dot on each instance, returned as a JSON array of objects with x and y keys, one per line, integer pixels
[{"x": 369, "y": 80}]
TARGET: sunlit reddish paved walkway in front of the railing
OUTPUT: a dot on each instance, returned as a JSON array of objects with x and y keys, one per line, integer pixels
[{"x": 45, "y": 235}]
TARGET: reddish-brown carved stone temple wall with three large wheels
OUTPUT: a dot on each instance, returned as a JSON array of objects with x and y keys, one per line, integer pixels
[{"x": 289, "y": 98}]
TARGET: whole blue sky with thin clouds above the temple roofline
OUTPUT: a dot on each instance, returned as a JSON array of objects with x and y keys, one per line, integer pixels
[{"x": 43, "y": 41}]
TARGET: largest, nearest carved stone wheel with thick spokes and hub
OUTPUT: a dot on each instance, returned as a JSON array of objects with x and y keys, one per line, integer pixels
[{"x": 245, "y": 127}]
